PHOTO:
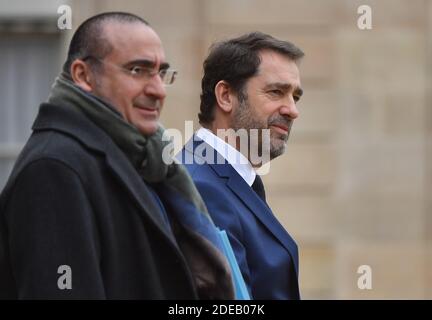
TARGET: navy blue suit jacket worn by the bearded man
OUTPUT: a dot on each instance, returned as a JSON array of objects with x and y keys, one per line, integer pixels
[{"x": 266, "y": 253}]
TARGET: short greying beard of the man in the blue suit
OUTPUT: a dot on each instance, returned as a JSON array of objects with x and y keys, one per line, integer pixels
[{"x": 245, "y": 117}]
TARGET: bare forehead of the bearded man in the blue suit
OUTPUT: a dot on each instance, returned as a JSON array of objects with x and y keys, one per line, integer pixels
[{"x": 277, "y": 68}]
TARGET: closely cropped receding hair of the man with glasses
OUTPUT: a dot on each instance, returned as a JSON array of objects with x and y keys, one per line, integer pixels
[{"x": 89, "y": 39}]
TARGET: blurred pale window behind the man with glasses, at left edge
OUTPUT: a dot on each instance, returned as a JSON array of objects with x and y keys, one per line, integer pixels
[{"x": 29, "y": 65}]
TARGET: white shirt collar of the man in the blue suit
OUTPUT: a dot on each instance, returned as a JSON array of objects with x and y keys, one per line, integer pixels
[{"x": 236, "y": 159}]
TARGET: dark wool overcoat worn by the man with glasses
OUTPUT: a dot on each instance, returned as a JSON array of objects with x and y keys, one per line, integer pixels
[{"x": 74, "y": 199}]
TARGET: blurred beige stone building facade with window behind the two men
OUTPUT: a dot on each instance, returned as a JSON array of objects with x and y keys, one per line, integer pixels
[{"x": 354, "y": 185}]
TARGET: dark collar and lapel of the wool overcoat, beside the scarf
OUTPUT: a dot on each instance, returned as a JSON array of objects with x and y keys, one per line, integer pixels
[{"x": 76, "y": 125}]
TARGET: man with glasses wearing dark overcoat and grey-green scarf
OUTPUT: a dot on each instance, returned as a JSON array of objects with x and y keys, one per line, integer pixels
[{"x": 90, "y": 209}]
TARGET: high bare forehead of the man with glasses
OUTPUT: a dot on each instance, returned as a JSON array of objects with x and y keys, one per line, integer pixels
[{"x": 133, "y": 41}]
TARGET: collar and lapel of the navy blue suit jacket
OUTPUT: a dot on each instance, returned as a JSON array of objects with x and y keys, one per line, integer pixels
[{"x": 250, "y": 199}]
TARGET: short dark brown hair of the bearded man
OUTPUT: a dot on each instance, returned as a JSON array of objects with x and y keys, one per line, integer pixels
[{"x": 235, "y": 61}]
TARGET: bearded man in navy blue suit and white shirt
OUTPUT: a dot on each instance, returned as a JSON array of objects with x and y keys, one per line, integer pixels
[{"x": 250, "y": 83}]
